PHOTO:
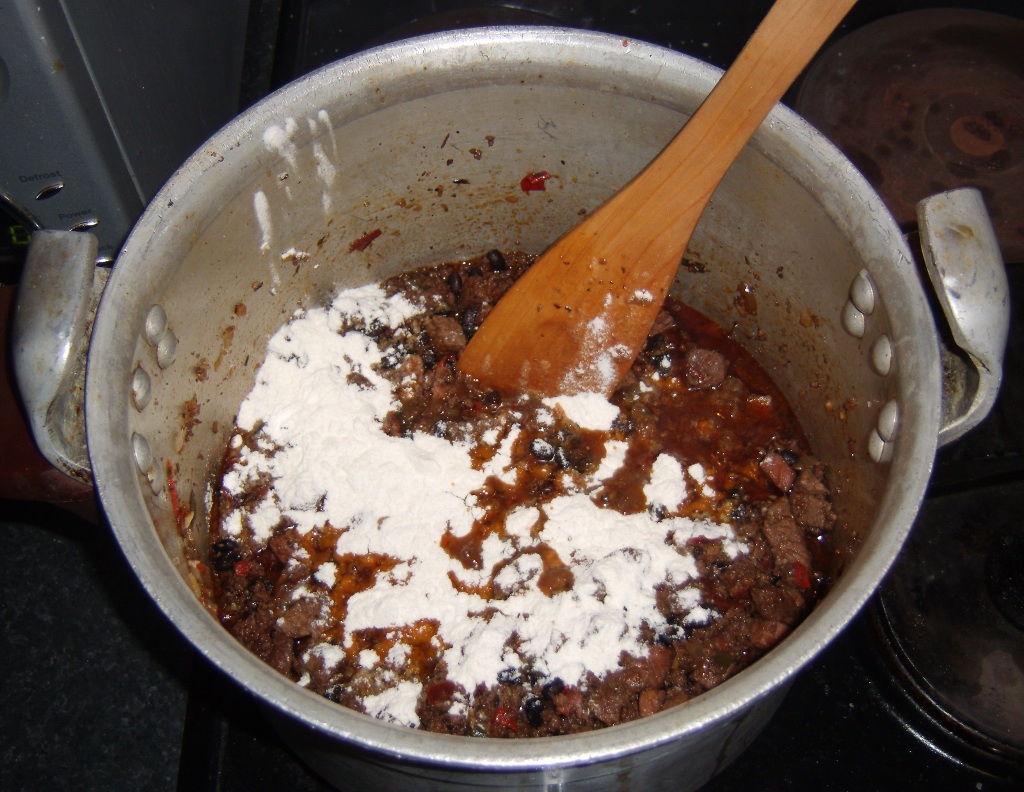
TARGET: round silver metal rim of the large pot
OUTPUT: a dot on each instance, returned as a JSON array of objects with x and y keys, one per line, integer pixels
[{"x": 818, "y": 164}]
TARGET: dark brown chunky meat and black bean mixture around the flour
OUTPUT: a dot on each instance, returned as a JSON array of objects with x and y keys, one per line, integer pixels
[{"x": 693, "y": 393}]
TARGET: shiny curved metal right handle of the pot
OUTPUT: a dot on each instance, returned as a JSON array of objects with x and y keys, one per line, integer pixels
[{"x": 964, "y": 263}]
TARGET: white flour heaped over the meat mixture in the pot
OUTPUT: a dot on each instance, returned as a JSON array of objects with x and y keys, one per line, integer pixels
[{"x": 330, "y": 462}]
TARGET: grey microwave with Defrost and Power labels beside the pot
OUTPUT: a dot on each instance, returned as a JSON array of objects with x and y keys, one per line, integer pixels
[{"x": 101, "y": 101}]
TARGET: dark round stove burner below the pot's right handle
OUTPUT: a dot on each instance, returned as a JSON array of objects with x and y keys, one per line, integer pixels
[{"x": 952, "y": 615}]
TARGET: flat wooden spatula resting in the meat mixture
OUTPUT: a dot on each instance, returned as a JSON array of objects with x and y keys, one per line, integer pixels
[{"x": 576, "y": 321}]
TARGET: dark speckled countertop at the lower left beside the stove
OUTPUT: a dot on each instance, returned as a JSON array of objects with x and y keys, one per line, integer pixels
[{"x": 95, "y": 681}]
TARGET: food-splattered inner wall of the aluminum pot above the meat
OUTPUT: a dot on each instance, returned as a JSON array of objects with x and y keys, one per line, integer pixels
[{"x": 264, "y": 220}]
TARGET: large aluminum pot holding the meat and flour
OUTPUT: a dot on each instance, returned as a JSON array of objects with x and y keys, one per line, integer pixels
[{"x": 428, "y": 141}]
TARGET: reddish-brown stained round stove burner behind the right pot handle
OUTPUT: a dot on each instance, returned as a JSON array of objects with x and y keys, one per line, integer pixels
[{"x": 926, "y": 102}]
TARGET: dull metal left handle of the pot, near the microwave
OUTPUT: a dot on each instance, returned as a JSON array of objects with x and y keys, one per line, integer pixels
[{"x": 57, "y": 302}]
